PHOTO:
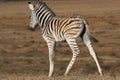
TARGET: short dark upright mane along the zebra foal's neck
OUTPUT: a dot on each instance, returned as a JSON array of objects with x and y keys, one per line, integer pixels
[{"x": 39, "y": 4}]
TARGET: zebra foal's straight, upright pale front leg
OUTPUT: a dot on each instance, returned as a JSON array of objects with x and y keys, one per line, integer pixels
[{"x": 51, "y": 47}]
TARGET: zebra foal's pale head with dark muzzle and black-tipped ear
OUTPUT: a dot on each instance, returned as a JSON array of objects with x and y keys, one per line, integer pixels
[{"x": 34, "y": 21}]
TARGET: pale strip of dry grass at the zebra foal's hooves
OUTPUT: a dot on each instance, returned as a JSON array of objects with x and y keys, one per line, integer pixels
[{"x": 43, "y": 77}]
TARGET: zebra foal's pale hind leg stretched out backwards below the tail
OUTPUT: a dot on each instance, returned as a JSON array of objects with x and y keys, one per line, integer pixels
[{"x": 92, "y": 52}]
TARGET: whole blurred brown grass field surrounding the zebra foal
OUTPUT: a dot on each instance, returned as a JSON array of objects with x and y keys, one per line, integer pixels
[{"x": 24, "y": 54}]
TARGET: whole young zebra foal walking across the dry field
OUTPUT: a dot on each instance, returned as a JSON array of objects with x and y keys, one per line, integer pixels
[{"x": 55, "y": 29}]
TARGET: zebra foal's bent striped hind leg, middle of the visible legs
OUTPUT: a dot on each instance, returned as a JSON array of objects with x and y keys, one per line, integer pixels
[{"x": 73, "y": 45}]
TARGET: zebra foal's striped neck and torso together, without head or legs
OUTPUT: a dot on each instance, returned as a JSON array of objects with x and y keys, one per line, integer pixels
[{"x": 56, "y": 27}]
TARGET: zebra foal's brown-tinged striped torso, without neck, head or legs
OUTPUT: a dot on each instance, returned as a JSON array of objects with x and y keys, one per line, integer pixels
[{"x": 60, "y": 28}]
